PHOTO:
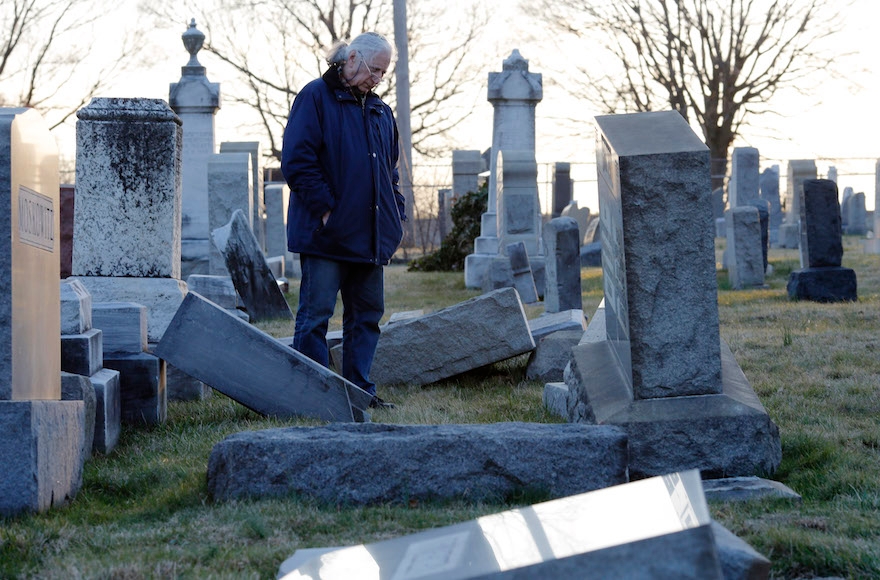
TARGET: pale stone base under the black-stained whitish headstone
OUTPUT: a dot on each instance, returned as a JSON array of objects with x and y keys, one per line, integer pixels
[{"x": 161, "y": 296}]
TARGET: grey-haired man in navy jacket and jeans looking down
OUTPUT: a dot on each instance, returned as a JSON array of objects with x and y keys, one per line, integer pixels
[{"x": 345, "y": 215}]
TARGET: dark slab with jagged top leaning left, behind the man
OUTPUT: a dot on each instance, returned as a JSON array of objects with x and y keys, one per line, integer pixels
[{"x": 250, "y": 273}]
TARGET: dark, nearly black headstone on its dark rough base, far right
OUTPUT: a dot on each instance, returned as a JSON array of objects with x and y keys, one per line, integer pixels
[{"x": 821, "y": 277}]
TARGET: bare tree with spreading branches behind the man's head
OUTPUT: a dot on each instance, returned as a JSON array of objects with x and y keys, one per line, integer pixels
[{"x": 276, "y": 46}]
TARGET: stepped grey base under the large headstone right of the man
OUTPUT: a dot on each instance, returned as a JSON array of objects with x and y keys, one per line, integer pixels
[{"x": 722, "y": 435}]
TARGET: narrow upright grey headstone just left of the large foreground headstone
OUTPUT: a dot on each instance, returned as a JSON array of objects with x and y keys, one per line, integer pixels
[{"x": 562, "y": 270}]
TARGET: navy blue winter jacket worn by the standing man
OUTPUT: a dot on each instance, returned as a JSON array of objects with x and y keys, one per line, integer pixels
[{"x": 340, "y": 155}]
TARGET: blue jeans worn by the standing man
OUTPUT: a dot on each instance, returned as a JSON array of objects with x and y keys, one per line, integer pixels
[{"x": 363, "y": 303}]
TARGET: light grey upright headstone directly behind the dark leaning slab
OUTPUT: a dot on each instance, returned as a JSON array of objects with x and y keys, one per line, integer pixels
[{"x": 229, "y": 188}]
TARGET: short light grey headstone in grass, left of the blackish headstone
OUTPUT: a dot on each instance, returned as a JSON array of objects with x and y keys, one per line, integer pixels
[{"x": 745, "y": 251}]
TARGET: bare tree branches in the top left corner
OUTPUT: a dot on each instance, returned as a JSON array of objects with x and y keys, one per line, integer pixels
[{"x": 45, "y": 47}]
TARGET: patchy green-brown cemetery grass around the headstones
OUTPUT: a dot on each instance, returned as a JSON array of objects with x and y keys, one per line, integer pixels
[{"x": 144, "y": 510}]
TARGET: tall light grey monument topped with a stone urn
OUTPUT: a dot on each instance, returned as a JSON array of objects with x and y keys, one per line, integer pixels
[{"x": 196, "y": 101}]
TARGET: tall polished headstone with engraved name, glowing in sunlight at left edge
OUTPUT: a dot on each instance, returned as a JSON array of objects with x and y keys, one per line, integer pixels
[{"x": 30, "y": 367}]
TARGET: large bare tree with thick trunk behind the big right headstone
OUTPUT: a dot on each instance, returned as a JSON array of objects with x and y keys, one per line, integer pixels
[{"x": 716, "y": 62}]
